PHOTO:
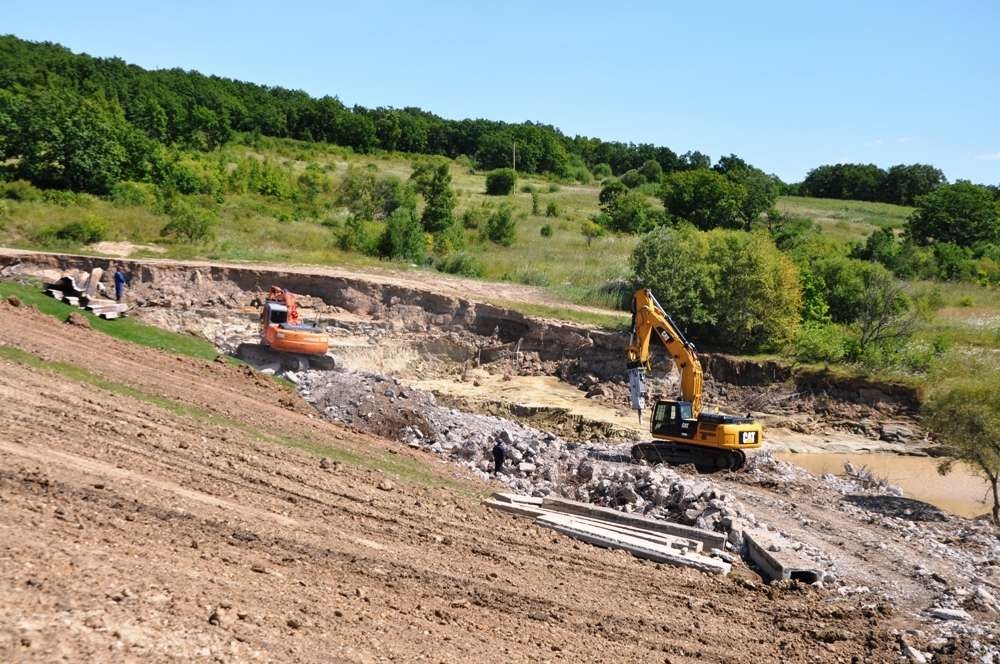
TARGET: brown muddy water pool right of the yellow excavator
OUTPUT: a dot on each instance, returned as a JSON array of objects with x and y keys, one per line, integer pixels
[{"x": 960, "y": 492}]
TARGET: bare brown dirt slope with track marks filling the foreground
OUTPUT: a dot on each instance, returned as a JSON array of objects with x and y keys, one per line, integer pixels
[{"x": 152, "y": 508}]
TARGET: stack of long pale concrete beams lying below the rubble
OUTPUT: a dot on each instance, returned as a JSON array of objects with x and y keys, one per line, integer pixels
[{"x": 643, "y": 538}]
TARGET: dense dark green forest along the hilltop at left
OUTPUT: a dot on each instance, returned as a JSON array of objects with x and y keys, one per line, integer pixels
[{"x": 54, "y": 102}]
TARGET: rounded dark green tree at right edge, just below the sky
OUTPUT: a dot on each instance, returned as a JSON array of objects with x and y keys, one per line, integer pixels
[{"x": 962, "y": 213}]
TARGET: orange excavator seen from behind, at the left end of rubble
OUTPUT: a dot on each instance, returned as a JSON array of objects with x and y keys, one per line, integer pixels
[{"x": 285, "y": 339}]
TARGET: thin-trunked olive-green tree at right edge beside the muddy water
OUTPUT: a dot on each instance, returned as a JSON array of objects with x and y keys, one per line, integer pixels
[{"x": 962, "y": 408}]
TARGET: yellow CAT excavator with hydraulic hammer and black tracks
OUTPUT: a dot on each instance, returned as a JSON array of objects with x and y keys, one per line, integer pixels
[{"x": 682, "y": 432}]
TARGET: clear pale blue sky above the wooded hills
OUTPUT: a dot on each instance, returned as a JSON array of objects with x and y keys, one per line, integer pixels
[{"x": 785, "y": 85}]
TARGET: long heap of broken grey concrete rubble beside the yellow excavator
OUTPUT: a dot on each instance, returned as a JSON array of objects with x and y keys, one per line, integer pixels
[{"x": 540, "y": 463}]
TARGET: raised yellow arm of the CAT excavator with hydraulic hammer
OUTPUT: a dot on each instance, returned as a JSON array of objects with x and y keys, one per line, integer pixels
[{"x": 649, "y": 320}]
